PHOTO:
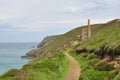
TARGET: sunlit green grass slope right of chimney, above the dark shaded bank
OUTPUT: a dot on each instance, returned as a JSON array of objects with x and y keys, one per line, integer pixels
[{"x": 109, "y": 36}]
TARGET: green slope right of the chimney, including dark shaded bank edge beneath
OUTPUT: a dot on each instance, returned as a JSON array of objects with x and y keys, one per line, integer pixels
[{"x": 107, "y": 41}]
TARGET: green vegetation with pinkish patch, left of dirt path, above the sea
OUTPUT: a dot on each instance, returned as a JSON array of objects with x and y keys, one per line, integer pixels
[{"x": 53, "y": 67}]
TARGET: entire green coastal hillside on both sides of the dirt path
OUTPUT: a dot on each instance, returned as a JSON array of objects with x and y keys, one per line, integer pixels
[{"x": 97, "y": 55}]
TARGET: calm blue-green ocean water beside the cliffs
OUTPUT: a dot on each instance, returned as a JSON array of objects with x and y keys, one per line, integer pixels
[{"x": 10, "y": 55}]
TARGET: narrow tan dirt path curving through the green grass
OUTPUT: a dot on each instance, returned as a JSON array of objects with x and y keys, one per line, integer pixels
[{"x": 74, "y": 69}]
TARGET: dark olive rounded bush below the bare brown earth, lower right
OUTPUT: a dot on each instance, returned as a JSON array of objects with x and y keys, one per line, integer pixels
[{"x": 104, "y": 66}]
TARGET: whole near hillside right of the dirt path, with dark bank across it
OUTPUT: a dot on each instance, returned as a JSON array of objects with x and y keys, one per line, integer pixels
[{"x": 100, "y": 54}]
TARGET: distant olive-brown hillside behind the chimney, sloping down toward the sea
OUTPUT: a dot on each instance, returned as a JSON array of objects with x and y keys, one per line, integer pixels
[{"x": 59, "y": 42}]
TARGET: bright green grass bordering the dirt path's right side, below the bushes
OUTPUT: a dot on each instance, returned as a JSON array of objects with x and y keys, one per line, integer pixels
[{"x": 89, "y": 73}]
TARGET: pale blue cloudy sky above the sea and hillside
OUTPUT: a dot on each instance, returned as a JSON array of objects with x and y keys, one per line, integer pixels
[{"x": 32, "y": 20}]
